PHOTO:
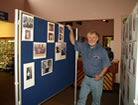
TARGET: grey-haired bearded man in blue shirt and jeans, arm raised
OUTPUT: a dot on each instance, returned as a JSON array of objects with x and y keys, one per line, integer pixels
[{"x": 95, "y": 64}]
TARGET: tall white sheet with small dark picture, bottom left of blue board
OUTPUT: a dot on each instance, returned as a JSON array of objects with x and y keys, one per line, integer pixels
[{"x": 29, "y": 73}]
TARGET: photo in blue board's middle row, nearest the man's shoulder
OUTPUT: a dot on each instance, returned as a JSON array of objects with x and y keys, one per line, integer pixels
[{"x": 60, "y": 51}]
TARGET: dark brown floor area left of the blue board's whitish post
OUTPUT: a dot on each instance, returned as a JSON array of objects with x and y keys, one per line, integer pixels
[{"x": 7, "y": 88}]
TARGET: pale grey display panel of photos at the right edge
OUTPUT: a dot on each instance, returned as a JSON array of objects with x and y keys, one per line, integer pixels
[{"x": 128, "y": 72}]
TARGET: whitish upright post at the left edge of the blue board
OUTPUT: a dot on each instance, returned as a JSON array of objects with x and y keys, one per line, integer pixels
[{"x": 16, "y": 60}]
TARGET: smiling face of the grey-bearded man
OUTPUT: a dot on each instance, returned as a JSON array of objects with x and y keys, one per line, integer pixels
[{"x": 92, "y": 39}]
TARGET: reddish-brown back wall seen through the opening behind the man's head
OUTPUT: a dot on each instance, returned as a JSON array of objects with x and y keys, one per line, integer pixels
[{"x": 103, "y": 28}]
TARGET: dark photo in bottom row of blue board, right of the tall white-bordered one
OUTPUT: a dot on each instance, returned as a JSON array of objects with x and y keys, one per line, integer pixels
[{"x": 46, "y": 66}]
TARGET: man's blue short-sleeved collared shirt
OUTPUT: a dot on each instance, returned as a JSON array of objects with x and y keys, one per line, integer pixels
[{"x": 94, "y": 59}]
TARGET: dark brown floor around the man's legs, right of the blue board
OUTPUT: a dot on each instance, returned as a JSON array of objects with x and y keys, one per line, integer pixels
[{"x": 66, "y": 97}]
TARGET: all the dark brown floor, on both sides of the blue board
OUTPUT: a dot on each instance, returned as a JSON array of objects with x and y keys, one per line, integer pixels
[{"x": 65, "y": 97}]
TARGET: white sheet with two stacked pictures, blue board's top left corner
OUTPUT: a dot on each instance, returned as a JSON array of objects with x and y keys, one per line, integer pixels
[{"x": 27, "y": 27}]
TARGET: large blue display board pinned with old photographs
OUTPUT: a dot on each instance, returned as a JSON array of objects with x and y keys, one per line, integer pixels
[{"x": 47, "y": 59}]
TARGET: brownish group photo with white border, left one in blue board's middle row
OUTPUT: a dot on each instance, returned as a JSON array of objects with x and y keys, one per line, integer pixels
[{"x": 39, "y": 50}]
